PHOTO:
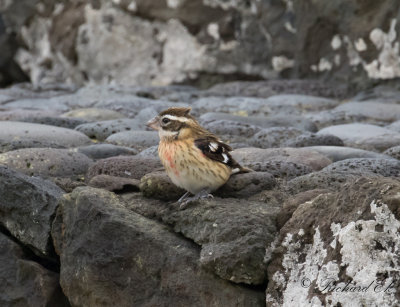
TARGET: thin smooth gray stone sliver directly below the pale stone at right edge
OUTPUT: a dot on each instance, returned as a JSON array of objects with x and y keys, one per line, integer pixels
[{"x": 336, "y": 153}]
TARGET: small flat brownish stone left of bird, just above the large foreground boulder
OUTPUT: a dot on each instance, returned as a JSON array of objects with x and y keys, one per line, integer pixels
[{"x": 114, "y": 184}]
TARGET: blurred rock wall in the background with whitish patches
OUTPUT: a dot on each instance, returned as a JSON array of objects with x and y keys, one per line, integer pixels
[{"x": 198, "y": 42}]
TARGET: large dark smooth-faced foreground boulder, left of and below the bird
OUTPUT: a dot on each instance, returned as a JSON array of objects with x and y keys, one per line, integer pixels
[{"x": 141, "y": 248}]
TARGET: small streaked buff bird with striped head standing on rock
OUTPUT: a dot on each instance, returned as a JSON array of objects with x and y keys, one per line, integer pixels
[{"x": 194, "y": 158}]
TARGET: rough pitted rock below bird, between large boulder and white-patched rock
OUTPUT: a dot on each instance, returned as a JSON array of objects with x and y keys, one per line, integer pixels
[{"x": 233, "y": 236}]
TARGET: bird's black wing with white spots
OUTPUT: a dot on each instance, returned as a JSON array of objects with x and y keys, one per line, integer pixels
[{"x": 214, "y": 149}]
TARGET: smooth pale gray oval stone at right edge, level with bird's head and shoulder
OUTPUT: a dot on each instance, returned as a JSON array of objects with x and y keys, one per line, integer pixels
[{"x": 364, "y": 136}]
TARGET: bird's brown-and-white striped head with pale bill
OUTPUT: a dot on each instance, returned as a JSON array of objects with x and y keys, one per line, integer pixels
[{"x": 174, "y": 123}]
